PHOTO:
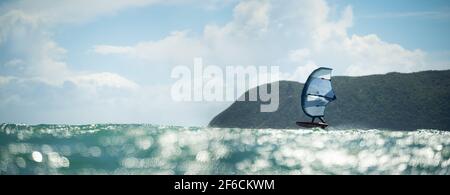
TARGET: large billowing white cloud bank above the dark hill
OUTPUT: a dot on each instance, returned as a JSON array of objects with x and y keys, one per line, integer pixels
[{"x": 293, "y": 34}]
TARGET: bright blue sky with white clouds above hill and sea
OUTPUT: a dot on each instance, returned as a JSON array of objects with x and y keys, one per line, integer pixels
[{"x": 83, "y": 61}]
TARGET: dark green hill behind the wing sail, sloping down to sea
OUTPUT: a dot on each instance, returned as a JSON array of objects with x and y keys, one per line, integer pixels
[{"x": 392, "y": 101}]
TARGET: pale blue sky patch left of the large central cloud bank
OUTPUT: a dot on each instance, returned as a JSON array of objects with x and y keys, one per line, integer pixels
[{"x": 129, "y": 27}]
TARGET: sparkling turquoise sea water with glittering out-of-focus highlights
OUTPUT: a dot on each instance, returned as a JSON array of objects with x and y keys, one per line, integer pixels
[{"x": 153, "y": 149}]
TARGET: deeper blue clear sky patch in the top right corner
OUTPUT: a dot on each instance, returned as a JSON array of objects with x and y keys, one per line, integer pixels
[{"x": 411, "y": 23}]
